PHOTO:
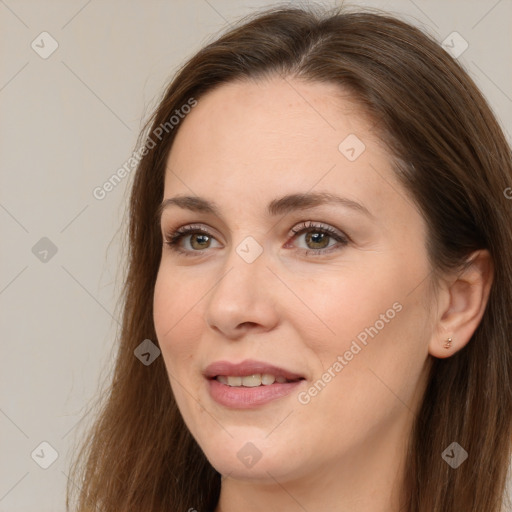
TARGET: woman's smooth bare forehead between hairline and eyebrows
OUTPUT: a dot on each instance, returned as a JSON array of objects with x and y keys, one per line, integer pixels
[{"x": 278, "y": 135}]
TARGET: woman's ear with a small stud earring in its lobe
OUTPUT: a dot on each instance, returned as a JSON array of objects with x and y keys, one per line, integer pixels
[{"x": 461, "y": 305}]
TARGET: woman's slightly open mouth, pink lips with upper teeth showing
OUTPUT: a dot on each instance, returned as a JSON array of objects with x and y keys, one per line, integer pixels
[{"x": 249, "y": 384}]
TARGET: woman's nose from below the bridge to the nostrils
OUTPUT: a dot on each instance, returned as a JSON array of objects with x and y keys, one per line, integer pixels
[{"x": 244, "y": 298}]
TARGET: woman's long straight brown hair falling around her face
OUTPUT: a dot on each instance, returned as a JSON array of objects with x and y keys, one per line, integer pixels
[{"x": 454, "y": 160}]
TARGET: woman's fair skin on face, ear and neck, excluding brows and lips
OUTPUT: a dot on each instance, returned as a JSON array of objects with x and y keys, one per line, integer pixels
[{"x": 242, "y": 146}]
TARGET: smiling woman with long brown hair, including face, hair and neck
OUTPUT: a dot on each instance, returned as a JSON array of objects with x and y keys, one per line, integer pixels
[{"x": 320, "y": 248}]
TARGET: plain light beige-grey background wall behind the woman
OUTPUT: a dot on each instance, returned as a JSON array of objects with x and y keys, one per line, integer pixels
[{"x": 68, "y": 122}]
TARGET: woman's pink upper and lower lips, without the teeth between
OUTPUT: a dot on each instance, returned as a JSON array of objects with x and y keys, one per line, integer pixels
[{"x": 248, "y": 397}]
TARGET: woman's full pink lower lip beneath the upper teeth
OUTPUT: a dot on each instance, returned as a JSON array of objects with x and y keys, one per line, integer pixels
[{"x": 245, "y": 398}]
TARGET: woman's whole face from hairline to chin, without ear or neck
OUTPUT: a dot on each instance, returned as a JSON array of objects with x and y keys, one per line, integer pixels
[{"x": 278, "y": 272}]
